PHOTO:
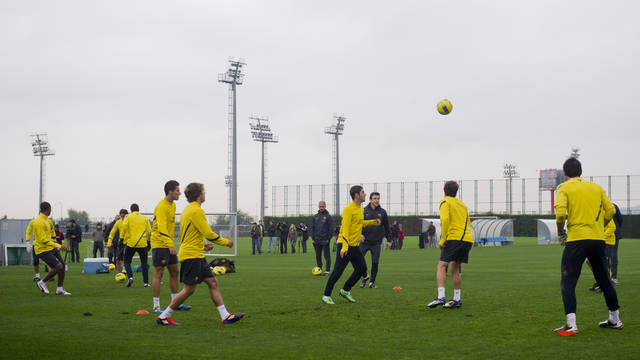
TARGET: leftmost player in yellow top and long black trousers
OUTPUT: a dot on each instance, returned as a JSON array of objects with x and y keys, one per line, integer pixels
[{"x": 46, "y": 248}]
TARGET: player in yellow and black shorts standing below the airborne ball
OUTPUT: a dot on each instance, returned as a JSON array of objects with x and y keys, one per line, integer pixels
[{"x": 455, "y": 241}]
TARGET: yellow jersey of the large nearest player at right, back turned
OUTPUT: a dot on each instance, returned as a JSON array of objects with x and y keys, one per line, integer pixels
[{"x": 586, "y": 208}]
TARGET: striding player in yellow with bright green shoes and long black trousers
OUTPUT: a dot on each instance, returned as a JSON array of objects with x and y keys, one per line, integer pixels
[{"x": 349, "y": 241}]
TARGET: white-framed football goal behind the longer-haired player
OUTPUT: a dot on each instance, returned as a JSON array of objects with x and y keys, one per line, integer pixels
[{"x": 223, "y": 224}]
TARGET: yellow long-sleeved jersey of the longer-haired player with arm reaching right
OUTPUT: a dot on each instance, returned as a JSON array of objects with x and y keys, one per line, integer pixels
[{"x": 193, "y": 230}]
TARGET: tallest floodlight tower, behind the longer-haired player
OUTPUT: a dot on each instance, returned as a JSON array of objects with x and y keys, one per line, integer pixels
[{"x": 233, "y": 77}]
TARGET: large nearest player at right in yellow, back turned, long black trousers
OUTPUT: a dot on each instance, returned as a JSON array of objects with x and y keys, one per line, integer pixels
[{"x": 587, "y": 210}]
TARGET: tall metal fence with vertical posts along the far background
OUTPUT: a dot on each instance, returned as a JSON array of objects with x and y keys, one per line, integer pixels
[{"x": 422, "y": 197}]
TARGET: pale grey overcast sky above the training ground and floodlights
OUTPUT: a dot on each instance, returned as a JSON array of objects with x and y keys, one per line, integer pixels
[{"x": 128, "y": 93}]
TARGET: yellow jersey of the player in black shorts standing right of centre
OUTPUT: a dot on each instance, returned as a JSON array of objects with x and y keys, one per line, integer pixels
[{"x": 454, "y": 221}]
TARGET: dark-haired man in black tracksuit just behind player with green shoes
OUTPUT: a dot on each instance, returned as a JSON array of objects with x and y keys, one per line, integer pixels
[{"x": 373, "y": 237}]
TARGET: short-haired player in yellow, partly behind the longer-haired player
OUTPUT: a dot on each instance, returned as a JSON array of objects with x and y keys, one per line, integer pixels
[{"x": 163, "y": 251}]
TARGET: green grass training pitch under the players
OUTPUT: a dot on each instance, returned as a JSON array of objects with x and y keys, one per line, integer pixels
[{"x": 511, "y": 298}]
